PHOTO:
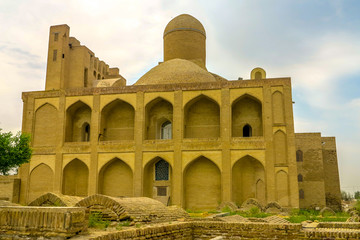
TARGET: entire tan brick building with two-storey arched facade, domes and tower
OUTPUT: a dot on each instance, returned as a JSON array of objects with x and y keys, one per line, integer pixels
[{"x": 180, "y": 134}]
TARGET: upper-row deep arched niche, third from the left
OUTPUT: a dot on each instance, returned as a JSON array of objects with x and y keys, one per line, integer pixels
[{"x": 117, "y": 121}]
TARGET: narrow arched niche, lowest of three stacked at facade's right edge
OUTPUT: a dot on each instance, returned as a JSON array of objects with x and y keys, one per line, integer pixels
[{"x": 282, "y": 188}]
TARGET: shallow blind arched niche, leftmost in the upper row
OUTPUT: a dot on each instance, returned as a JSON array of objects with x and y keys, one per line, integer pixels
[{"x": 46, "y": 122}]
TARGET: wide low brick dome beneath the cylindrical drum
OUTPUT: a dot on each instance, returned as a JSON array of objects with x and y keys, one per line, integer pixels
[{"x": 176, "y": 71}]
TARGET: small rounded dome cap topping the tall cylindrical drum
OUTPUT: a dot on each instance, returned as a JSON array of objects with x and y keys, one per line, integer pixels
[{"x": 184, "y": 22}]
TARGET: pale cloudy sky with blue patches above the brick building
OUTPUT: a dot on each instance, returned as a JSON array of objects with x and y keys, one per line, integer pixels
[{"x": 315, "y": 42}]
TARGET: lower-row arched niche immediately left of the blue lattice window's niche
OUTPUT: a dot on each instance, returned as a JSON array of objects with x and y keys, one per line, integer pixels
[{"x": 116, "y": 179}]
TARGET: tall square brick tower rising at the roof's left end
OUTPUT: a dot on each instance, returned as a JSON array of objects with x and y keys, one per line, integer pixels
[{"x": 57, "y": 52}]
